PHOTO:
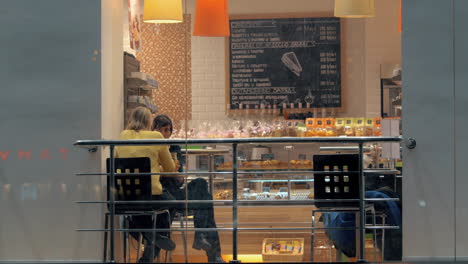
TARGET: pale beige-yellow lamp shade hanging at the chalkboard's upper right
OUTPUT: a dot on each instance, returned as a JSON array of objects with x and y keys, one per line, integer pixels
[{"x": 354, "y": 8}]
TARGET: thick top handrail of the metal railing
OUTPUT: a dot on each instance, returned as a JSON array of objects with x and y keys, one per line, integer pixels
[{"x": 105, "y": 142}]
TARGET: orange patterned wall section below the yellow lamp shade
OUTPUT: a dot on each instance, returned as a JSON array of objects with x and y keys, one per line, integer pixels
[{"x": 166, "y": 55}]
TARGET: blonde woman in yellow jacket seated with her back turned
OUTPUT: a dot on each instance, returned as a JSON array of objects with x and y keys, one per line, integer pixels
[{"x": 139, "y": 128}]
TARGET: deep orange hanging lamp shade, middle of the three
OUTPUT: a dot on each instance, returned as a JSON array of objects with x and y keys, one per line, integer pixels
[{"x": 211, "y": 18}]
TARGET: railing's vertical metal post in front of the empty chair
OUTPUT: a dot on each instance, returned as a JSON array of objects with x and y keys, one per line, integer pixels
[{"x": 362, "y": 205}]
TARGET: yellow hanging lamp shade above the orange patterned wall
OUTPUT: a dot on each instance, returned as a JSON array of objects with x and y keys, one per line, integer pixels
[{"x": 163, "y": 11}]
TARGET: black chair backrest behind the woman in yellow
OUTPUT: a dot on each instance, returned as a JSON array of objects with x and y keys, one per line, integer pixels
[{"x": 130, "y": 187}]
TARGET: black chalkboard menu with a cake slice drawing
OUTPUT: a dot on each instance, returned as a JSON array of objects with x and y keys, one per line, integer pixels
[{"x": 292, "y": 62}]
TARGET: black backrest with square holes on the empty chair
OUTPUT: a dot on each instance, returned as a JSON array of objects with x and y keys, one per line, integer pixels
[{"x": 333, "y": 185}]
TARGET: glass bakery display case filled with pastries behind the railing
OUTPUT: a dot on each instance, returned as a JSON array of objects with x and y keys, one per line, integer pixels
[{"x": 284, "y": 173}]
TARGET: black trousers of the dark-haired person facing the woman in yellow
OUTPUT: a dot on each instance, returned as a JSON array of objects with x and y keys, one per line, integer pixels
[{"x": 203, "y": 212}]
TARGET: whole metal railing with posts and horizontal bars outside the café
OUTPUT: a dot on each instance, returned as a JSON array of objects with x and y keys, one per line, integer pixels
[{"x": 92, "y": 145}]
